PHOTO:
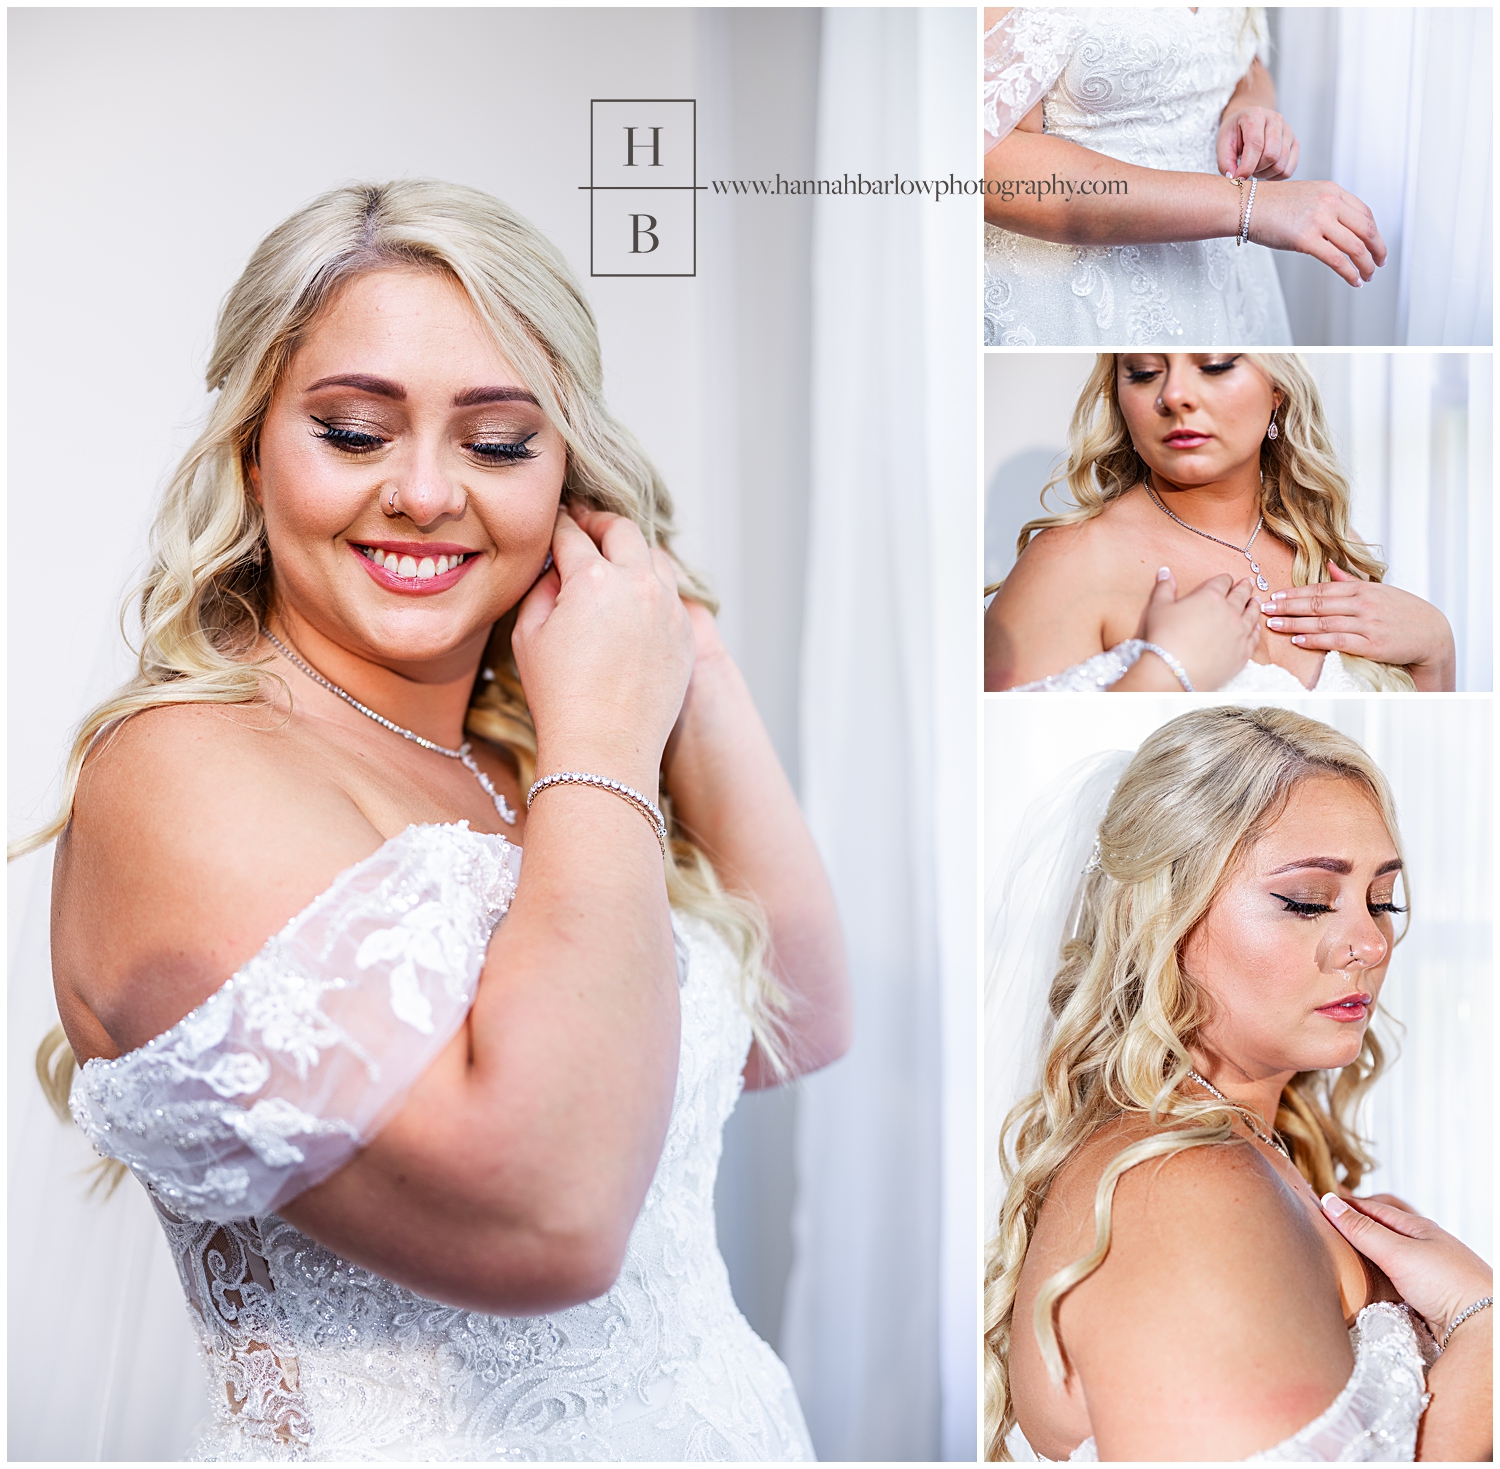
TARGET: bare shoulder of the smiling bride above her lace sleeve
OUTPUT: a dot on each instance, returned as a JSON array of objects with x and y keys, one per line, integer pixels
[{"x": 197, "y": 832}]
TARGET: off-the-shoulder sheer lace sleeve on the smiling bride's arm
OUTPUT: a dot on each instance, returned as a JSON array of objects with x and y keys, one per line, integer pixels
[{"x": 302, "y": 1056}]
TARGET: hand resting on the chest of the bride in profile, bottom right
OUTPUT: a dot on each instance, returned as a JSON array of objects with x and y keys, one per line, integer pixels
[{"x": 1433, "y": 1272}]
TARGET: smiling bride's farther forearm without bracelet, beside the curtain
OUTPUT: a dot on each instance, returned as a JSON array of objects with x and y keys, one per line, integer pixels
[{"x": 731, "y": 795}]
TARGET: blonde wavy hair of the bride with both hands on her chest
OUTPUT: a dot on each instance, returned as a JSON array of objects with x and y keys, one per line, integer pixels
[{"x": 1306, "y": 494}]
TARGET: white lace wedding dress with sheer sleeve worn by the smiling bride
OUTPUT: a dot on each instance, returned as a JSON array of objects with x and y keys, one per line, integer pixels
[{"x": 280, "y": 1077}]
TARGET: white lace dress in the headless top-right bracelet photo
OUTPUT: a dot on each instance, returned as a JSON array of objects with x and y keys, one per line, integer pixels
[{"x": 1147, "y": 88}]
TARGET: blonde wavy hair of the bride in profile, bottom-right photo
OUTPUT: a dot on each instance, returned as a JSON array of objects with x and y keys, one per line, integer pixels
[{"x": 1187, "y": 811}]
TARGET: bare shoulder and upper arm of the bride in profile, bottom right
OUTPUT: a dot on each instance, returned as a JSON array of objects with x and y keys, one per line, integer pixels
[{"x": 1214, "y": 1327}]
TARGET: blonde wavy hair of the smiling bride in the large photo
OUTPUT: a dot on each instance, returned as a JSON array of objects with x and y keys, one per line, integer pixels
[{"x": 209, "y": 583}]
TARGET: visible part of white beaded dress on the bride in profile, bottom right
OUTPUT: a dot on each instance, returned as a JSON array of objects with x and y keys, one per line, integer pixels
[{"x": 1375, "y": 1419}]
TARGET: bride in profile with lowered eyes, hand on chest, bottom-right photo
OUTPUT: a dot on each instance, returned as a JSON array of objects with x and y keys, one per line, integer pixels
[{"x": 1181, "y": 1269}]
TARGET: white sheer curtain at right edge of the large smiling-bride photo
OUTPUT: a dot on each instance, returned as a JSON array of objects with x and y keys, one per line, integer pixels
[{"x": 884, "y": 1363}]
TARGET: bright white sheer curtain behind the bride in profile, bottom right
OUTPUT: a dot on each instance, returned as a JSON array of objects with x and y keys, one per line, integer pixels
[{"x": 1432, "y": 1116}]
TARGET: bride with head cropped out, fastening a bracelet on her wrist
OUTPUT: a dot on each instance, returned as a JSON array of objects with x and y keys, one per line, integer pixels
[{"x": 1130, "y": 154}]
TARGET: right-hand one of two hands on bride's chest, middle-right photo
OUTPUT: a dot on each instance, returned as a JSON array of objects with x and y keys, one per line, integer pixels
[{"x": 1370, "y": 620}]
